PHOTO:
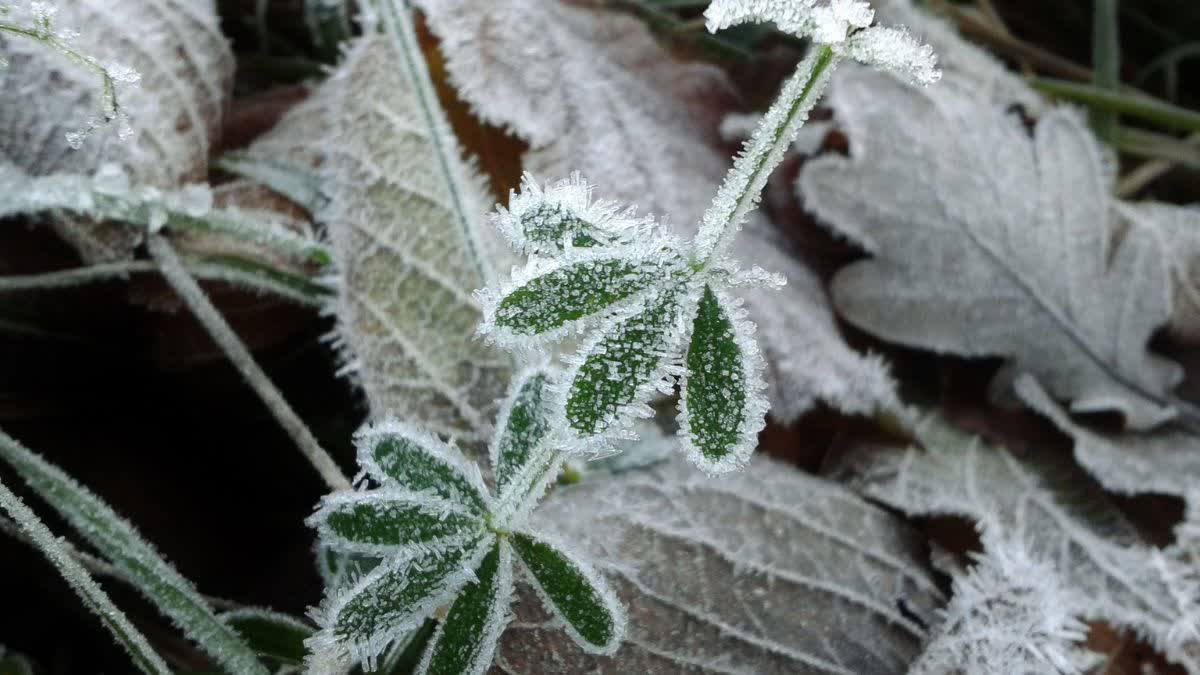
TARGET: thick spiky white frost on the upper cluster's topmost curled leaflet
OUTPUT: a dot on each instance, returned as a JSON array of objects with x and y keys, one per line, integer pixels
[{"x": 551, "y": 206}]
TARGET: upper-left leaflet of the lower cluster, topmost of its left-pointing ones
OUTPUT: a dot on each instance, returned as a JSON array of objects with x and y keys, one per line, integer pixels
[{"x": 394, "y": 453}]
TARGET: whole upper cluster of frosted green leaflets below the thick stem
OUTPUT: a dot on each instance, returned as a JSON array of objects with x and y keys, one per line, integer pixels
[{"x": 650, "y": 315}]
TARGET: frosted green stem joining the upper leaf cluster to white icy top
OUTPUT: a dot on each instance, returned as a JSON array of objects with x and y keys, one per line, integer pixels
[{"x": 743, "y": 184}]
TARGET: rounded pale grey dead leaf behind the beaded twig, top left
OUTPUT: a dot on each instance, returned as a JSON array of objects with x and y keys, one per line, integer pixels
[{"x": 176, "y": 114}]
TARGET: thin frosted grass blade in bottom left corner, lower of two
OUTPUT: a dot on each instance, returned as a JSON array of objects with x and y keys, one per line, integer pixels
[{"x": 93, "y": 596}]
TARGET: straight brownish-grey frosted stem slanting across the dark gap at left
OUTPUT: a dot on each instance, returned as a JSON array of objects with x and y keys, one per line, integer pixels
[{"x": 237, "y": 353}]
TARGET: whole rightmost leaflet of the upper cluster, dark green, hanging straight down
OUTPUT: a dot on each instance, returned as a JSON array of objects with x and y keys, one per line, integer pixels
[{"x": 722, "y": 408}]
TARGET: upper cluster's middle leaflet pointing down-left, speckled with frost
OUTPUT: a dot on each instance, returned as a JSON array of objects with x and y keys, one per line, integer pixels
[{"x": 615, "y": 374}]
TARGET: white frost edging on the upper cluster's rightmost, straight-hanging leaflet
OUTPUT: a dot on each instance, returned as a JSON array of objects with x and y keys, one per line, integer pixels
[{"x": 754, "y": 410}]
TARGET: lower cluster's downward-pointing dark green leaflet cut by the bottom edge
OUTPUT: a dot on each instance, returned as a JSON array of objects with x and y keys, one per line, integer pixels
[{"x": 467, "y": 638}]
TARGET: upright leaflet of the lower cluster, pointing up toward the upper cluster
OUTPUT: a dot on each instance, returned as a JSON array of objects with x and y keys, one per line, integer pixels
[{"x": 526, "y": 426}]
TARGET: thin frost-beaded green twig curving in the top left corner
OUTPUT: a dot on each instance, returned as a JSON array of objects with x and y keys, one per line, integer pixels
[{"x": 111, "y": 75}]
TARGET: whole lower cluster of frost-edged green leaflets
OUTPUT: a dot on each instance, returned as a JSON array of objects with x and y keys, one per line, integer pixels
[{"x": 446, "y": 542}]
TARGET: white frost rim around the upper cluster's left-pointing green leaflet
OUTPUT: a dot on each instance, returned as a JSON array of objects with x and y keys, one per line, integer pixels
[{"x": 657, "y": 259}]
